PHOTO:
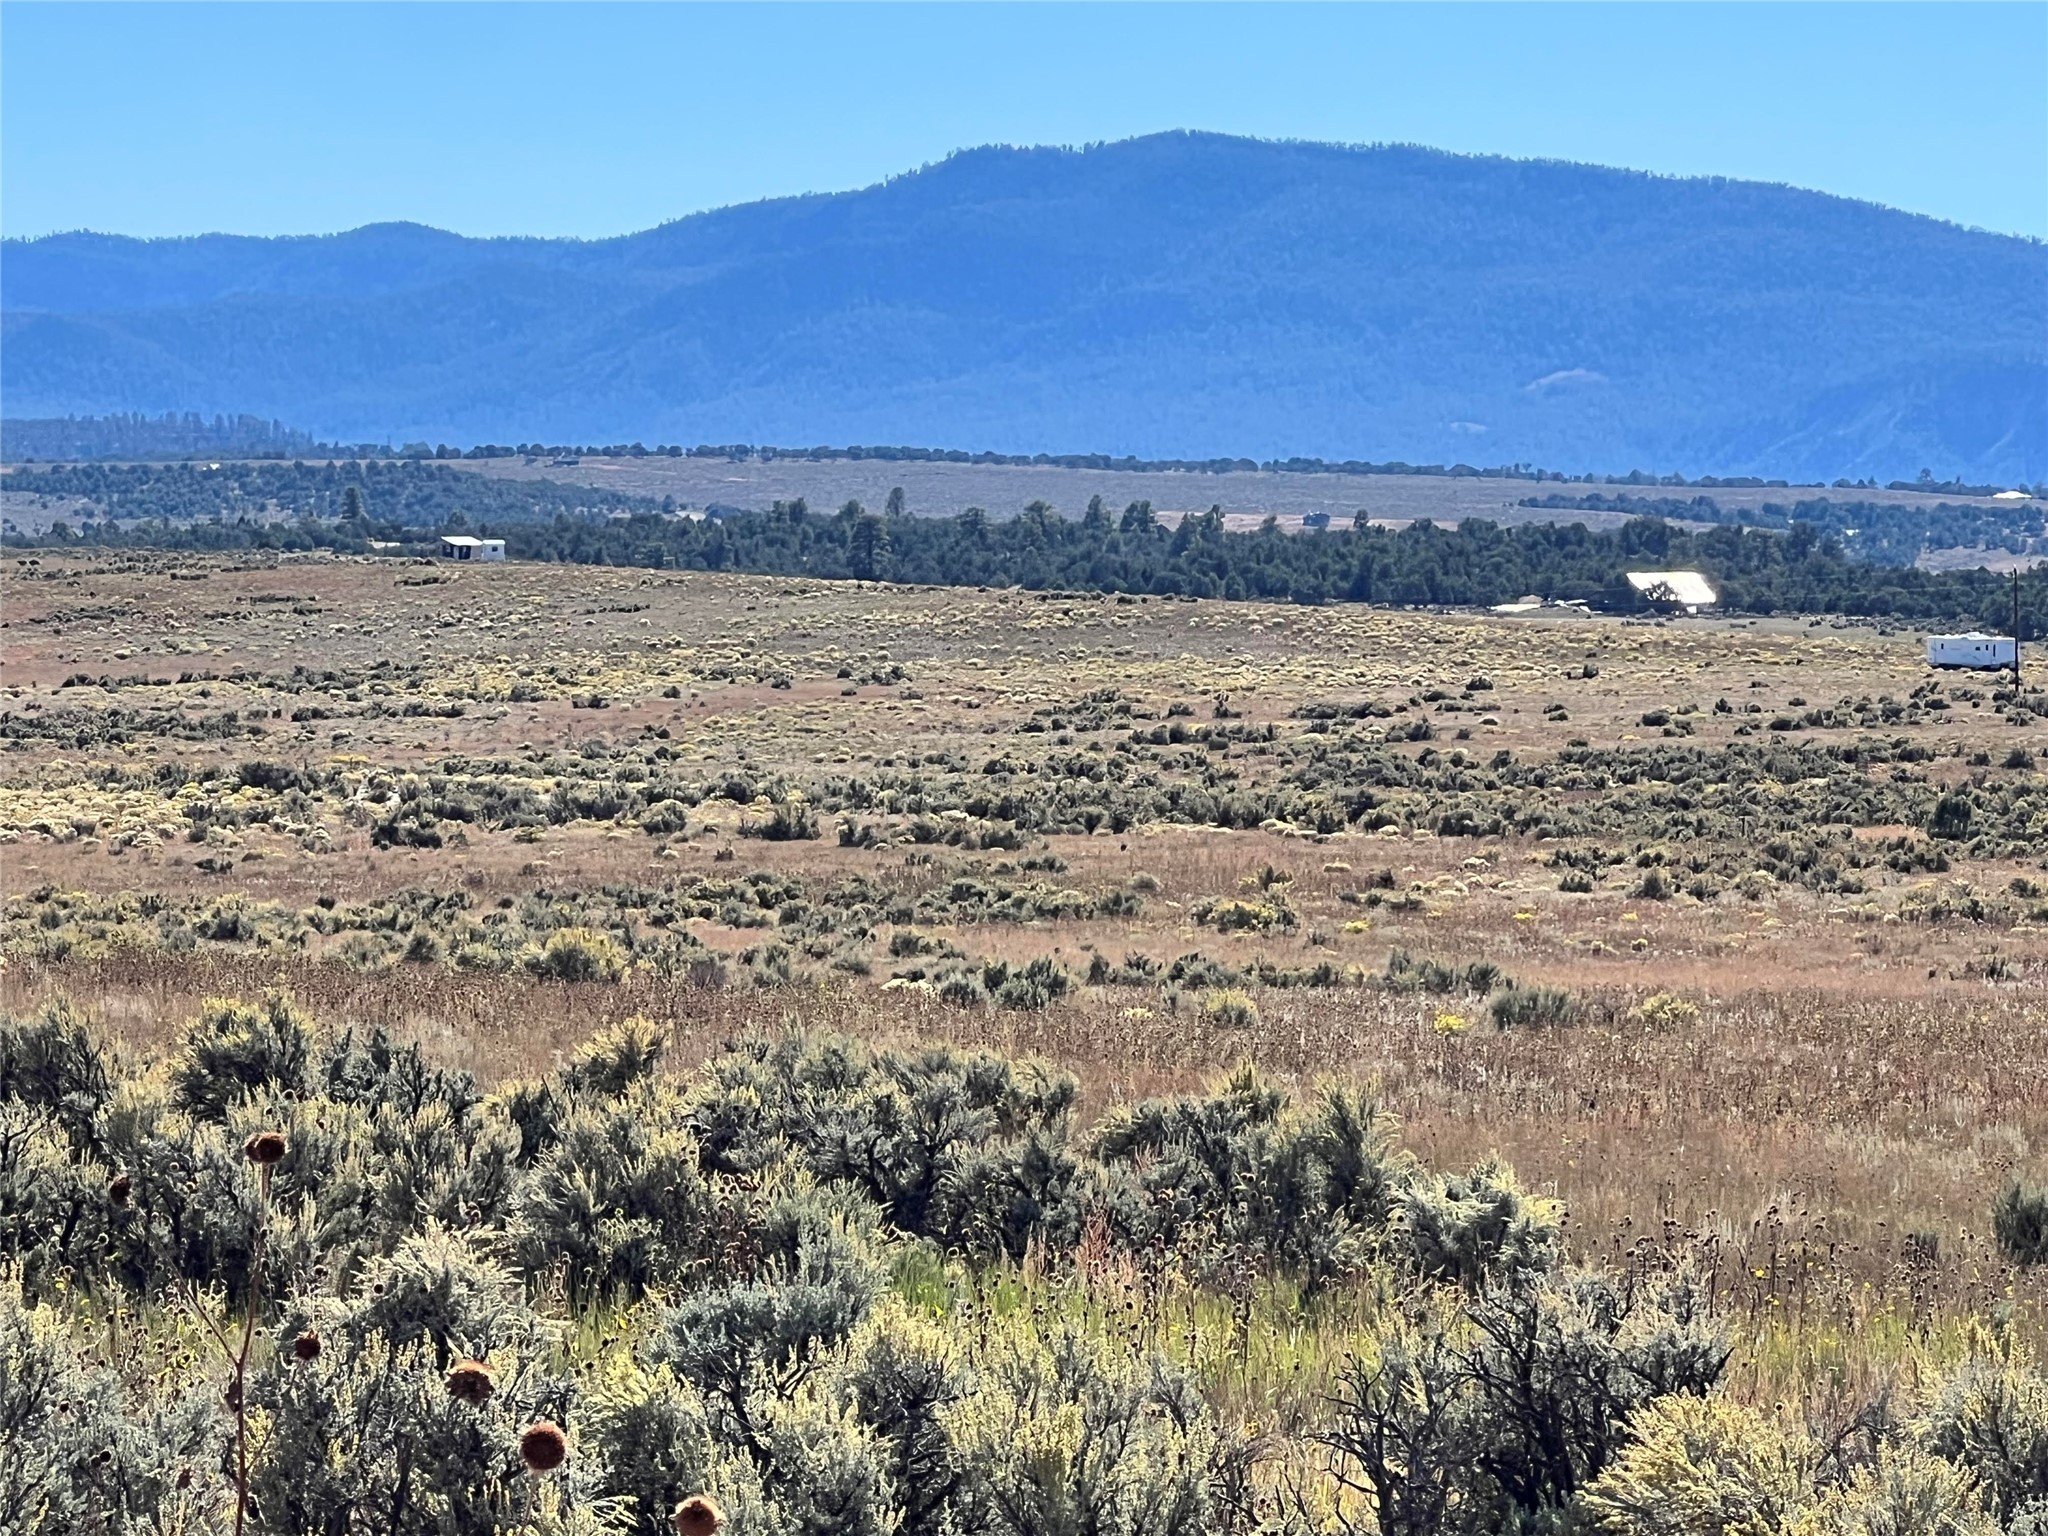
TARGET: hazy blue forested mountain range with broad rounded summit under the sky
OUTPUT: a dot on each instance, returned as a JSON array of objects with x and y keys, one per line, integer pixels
[{"x": 1177, "y": 296}]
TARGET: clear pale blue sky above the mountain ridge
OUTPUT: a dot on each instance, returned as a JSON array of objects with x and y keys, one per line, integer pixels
[{"x": 593, "y": 120}]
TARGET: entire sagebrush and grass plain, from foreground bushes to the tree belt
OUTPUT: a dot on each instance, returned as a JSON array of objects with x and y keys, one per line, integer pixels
[{"x": 589, "y": 1050}]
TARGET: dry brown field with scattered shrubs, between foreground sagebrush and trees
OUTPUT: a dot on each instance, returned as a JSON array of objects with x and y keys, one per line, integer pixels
[{"x": 1803, "y": 1023}]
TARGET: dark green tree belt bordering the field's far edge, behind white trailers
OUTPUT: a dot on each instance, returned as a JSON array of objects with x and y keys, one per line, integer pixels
[{"x": 1134, "y": 552}]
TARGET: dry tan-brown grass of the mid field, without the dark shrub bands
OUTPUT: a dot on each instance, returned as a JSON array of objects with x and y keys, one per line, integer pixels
[{"x": 1852, "y": 1089}]
